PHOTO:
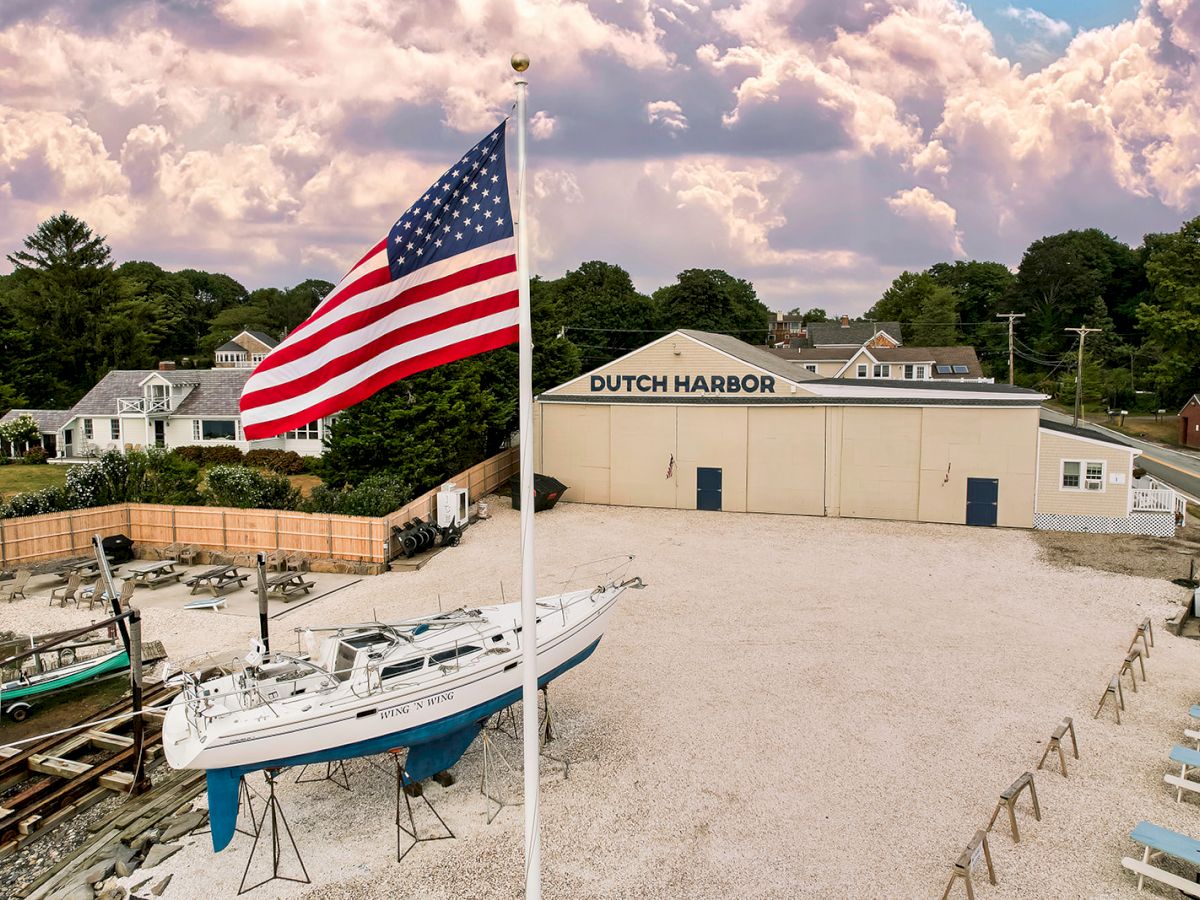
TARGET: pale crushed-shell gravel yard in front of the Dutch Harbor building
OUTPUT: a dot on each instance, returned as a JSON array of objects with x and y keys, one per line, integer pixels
[{"x": 794, "y": 707}]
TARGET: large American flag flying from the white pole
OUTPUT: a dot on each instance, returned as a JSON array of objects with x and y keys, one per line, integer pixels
[{"x": 441, "y": 286}]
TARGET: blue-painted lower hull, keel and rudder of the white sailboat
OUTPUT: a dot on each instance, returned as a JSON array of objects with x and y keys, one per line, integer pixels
[{"x": 434, "y": 748}]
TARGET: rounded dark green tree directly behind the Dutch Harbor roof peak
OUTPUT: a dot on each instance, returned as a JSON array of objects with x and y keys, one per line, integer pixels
[{"x": 713, "y": 301}]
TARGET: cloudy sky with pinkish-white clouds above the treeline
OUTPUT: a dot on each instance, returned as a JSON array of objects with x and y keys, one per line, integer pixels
[{"x": 815, "y": 147}]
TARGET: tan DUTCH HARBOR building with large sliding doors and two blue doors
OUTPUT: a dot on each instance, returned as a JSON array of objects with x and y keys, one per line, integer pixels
[{"x": 697, "y": 421}]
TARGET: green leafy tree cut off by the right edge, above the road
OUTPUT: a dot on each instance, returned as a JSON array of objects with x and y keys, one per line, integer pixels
[{"x": 1173, "y": 320}]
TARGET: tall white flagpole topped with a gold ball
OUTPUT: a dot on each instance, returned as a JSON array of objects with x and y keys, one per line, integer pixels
[{"x": 529, "y": 598}]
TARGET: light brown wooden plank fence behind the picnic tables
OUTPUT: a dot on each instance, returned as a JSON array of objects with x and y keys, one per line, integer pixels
[{"x": 237, "y": 531}]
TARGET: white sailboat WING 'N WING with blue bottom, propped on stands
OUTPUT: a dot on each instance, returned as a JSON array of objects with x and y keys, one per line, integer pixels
[{"x": 427, "y": 685}]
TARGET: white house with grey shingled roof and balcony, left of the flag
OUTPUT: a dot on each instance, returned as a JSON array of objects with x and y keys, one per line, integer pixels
[{"x": 169, "y": 407}]
